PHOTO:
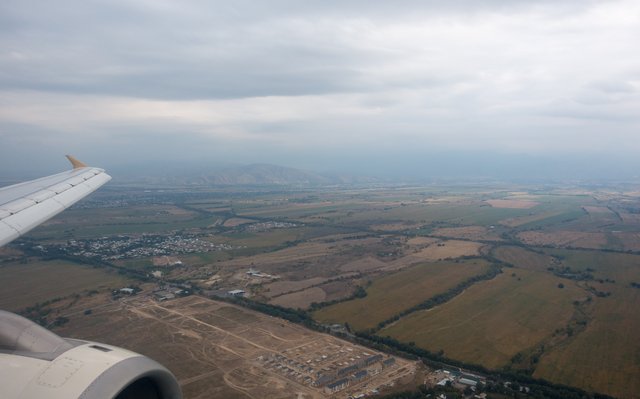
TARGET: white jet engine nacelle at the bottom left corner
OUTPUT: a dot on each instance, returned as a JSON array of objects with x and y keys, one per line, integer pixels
[{"x": 36, "y": 363}]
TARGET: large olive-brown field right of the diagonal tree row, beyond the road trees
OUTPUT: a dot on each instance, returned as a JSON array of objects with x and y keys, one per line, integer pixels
[{"x": 492, "y": 320}]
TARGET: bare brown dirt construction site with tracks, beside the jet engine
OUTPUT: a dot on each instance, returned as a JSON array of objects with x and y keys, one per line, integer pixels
[{"x": 219, "y": 350}]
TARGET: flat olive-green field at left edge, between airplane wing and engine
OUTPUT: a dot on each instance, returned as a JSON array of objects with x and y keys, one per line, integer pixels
[{"x": 38, "y": 281}]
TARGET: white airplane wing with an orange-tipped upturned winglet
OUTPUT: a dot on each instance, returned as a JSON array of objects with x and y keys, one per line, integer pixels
[{"x": 26, "y": 205}]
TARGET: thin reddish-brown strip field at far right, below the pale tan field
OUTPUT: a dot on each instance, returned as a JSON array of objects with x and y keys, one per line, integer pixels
[{"x": 574, "y": 239}]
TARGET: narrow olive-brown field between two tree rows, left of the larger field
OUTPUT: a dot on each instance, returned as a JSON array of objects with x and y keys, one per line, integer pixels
[{"x": 391, "y": 294}]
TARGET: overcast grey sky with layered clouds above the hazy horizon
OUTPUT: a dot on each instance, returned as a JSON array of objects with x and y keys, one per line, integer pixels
[{"x": 323, "y": 85}]
